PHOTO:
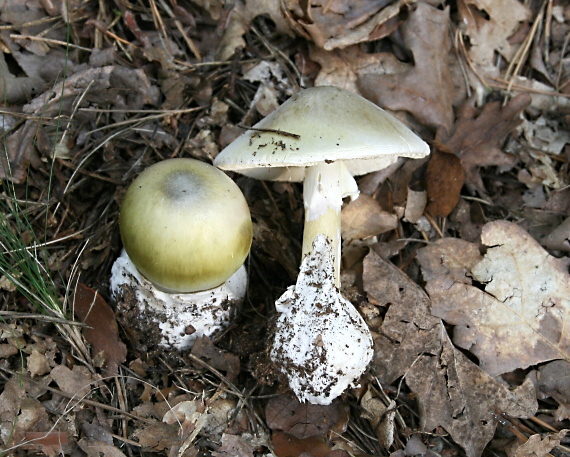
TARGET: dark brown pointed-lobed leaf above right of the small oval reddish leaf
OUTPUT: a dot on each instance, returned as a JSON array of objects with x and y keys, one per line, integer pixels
[{"x": 478, "y": 137}]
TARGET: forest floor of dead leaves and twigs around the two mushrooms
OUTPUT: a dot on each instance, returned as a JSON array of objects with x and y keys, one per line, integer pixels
[{"x": 458, "y": 262}]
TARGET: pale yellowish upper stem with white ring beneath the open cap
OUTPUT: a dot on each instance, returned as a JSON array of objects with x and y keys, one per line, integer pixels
[{"x": 324, "y": 187}]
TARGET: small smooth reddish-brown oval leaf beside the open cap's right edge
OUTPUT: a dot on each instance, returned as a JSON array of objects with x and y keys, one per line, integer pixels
[{"x": 444, "y": 179}]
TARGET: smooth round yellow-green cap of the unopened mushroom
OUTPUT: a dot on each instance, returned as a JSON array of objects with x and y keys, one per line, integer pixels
[{"x": 185, "y": 225}]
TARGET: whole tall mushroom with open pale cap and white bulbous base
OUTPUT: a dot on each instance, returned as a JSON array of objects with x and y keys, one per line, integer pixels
[{"x": 323, "y": 136}]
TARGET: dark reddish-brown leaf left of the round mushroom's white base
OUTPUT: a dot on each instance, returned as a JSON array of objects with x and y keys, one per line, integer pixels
[{"x": 103, "y": 331}]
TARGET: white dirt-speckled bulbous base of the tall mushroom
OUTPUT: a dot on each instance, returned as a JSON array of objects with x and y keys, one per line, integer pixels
[{"x": 322, "y": 344}]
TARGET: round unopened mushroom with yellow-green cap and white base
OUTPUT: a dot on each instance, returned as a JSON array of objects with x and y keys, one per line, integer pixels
[{"x": 186, "y": 231}]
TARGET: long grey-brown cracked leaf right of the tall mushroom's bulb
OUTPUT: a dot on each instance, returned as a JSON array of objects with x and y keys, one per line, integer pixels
[{"x": 453, "y": 392}]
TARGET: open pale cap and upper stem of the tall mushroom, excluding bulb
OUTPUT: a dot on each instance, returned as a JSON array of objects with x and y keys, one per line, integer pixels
[{"x": 323, "y": 136}]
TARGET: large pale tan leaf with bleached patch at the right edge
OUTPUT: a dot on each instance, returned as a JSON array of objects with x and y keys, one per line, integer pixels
[{"x": 516, "y": 313}]
